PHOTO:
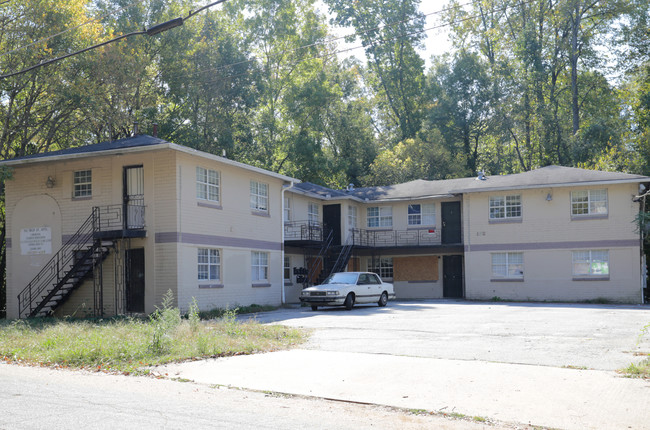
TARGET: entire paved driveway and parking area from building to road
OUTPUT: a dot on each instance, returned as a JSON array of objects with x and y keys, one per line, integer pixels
[{"x": 548, "y": 365}]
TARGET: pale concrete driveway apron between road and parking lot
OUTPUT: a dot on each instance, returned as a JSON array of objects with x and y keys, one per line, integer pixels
[{"x": 538, "y": 395}]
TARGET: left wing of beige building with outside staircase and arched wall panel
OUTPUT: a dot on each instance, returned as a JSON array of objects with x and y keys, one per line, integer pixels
[{"x": 110, "y": 228}]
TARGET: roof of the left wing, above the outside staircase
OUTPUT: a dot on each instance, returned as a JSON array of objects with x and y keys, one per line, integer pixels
[{"x": 141, "y": 142}]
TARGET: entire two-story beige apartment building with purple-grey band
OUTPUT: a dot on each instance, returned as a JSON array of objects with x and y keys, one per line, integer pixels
[{"x": 109, "y": 228}]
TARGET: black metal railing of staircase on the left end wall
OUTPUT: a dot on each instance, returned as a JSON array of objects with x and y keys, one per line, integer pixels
[{"x": 60, "y": 266}]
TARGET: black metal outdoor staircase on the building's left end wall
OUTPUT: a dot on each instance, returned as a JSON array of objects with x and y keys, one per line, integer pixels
[{"x": 75, "y": 262}]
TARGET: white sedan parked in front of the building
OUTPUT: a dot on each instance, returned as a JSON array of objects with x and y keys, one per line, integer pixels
[{"x": 348, "y": 288}]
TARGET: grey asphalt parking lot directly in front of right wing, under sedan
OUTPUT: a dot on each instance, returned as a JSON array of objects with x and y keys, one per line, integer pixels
[{"x": 561, "y": 335}]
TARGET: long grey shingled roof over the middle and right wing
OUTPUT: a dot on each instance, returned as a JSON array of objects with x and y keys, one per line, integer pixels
[{"x": 545, "y": 177}]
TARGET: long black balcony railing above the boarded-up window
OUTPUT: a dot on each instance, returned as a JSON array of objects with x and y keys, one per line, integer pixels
[{"x": 386, "y": 238}]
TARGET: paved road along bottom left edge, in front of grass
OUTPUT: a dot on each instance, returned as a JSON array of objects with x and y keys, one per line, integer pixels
[{"x": 40, "y": 398}]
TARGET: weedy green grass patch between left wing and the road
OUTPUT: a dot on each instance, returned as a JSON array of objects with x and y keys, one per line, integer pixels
[{"x": 129, "y": 345}]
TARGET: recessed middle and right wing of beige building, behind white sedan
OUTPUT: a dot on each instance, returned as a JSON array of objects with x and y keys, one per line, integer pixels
[{"x": 555, "y": 233}]
